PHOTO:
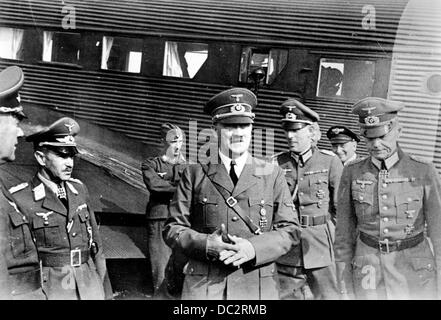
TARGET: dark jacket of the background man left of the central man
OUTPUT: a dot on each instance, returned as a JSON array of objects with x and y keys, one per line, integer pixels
[{"x": 160, "y": 178}]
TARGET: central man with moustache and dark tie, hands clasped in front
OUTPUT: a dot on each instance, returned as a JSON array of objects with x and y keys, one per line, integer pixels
[{"x": 232, "y": 217}]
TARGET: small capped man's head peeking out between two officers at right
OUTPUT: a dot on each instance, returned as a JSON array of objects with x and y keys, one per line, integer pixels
[{"x": 344, "y": 143}]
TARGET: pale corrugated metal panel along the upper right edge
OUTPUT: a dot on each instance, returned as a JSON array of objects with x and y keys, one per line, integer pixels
[{"x": 417, "y": 56}]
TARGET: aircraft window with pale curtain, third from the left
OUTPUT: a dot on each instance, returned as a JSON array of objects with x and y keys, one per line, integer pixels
[{"x": 121, "y": 54}]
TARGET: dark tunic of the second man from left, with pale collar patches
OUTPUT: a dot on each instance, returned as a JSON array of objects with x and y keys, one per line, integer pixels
[{"x": 58, "y": 231}]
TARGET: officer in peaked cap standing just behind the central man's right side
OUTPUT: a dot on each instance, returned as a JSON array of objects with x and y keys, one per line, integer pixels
[{"x": 313, "y": 176}]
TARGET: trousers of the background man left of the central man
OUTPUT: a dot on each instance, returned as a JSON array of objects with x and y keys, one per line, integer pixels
[{"x": 159, "y": 254}]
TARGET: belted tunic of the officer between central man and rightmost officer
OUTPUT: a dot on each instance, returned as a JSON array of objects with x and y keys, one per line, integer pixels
[{"x": 316, "y": 198}]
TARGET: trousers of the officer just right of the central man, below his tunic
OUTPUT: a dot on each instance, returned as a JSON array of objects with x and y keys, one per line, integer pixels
[{"x": 298, "y": 283}]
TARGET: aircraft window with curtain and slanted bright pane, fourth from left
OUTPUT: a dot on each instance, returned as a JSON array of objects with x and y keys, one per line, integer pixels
[{"x": 183, "y": 59}]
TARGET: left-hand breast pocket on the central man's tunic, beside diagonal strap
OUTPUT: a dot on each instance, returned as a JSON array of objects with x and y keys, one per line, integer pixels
[{"x": 207, "y": 212}]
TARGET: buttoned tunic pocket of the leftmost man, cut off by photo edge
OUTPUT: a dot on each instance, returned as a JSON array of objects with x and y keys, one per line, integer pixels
[{"x": 20, "y": 237}]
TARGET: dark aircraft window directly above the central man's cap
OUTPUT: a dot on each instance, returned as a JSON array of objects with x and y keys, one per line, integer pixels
[{"x": 270, "y": 61}]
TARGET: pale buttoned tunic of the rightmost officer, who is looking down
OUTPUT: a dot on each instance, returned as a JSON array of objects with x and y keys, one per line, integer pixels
[{"x": 392, "y": 207}]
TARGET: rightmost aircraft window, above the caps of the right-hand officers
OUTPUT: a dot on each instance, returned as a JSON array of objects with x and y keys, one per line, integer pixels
[{"x": 344, "y": 78}]
